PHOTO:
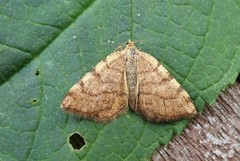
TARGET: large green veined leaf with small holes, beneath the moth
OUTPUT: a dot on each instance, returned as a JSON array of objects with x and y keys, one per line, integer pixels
[{"x": 47, "y": 46}]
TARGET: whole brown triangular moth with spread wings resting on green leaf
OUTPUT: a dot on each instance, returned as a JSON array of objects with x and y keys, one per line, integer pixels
[{"x": 129, "y": 78}]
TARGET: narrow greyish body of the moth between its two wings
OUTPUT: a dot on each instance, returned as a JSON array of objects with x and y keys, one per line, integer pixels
[{"x": 131, "y": 75}]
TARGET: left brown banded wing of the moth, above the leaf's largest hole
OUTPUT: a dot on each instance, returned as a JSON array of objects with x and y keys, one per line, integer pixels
[{"x": 102, "y": 93}]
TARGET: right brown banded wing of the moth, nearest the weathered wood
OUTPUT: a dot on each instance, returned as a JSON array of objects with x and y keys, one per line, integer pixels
[{"x": 160, "y": 97}]
